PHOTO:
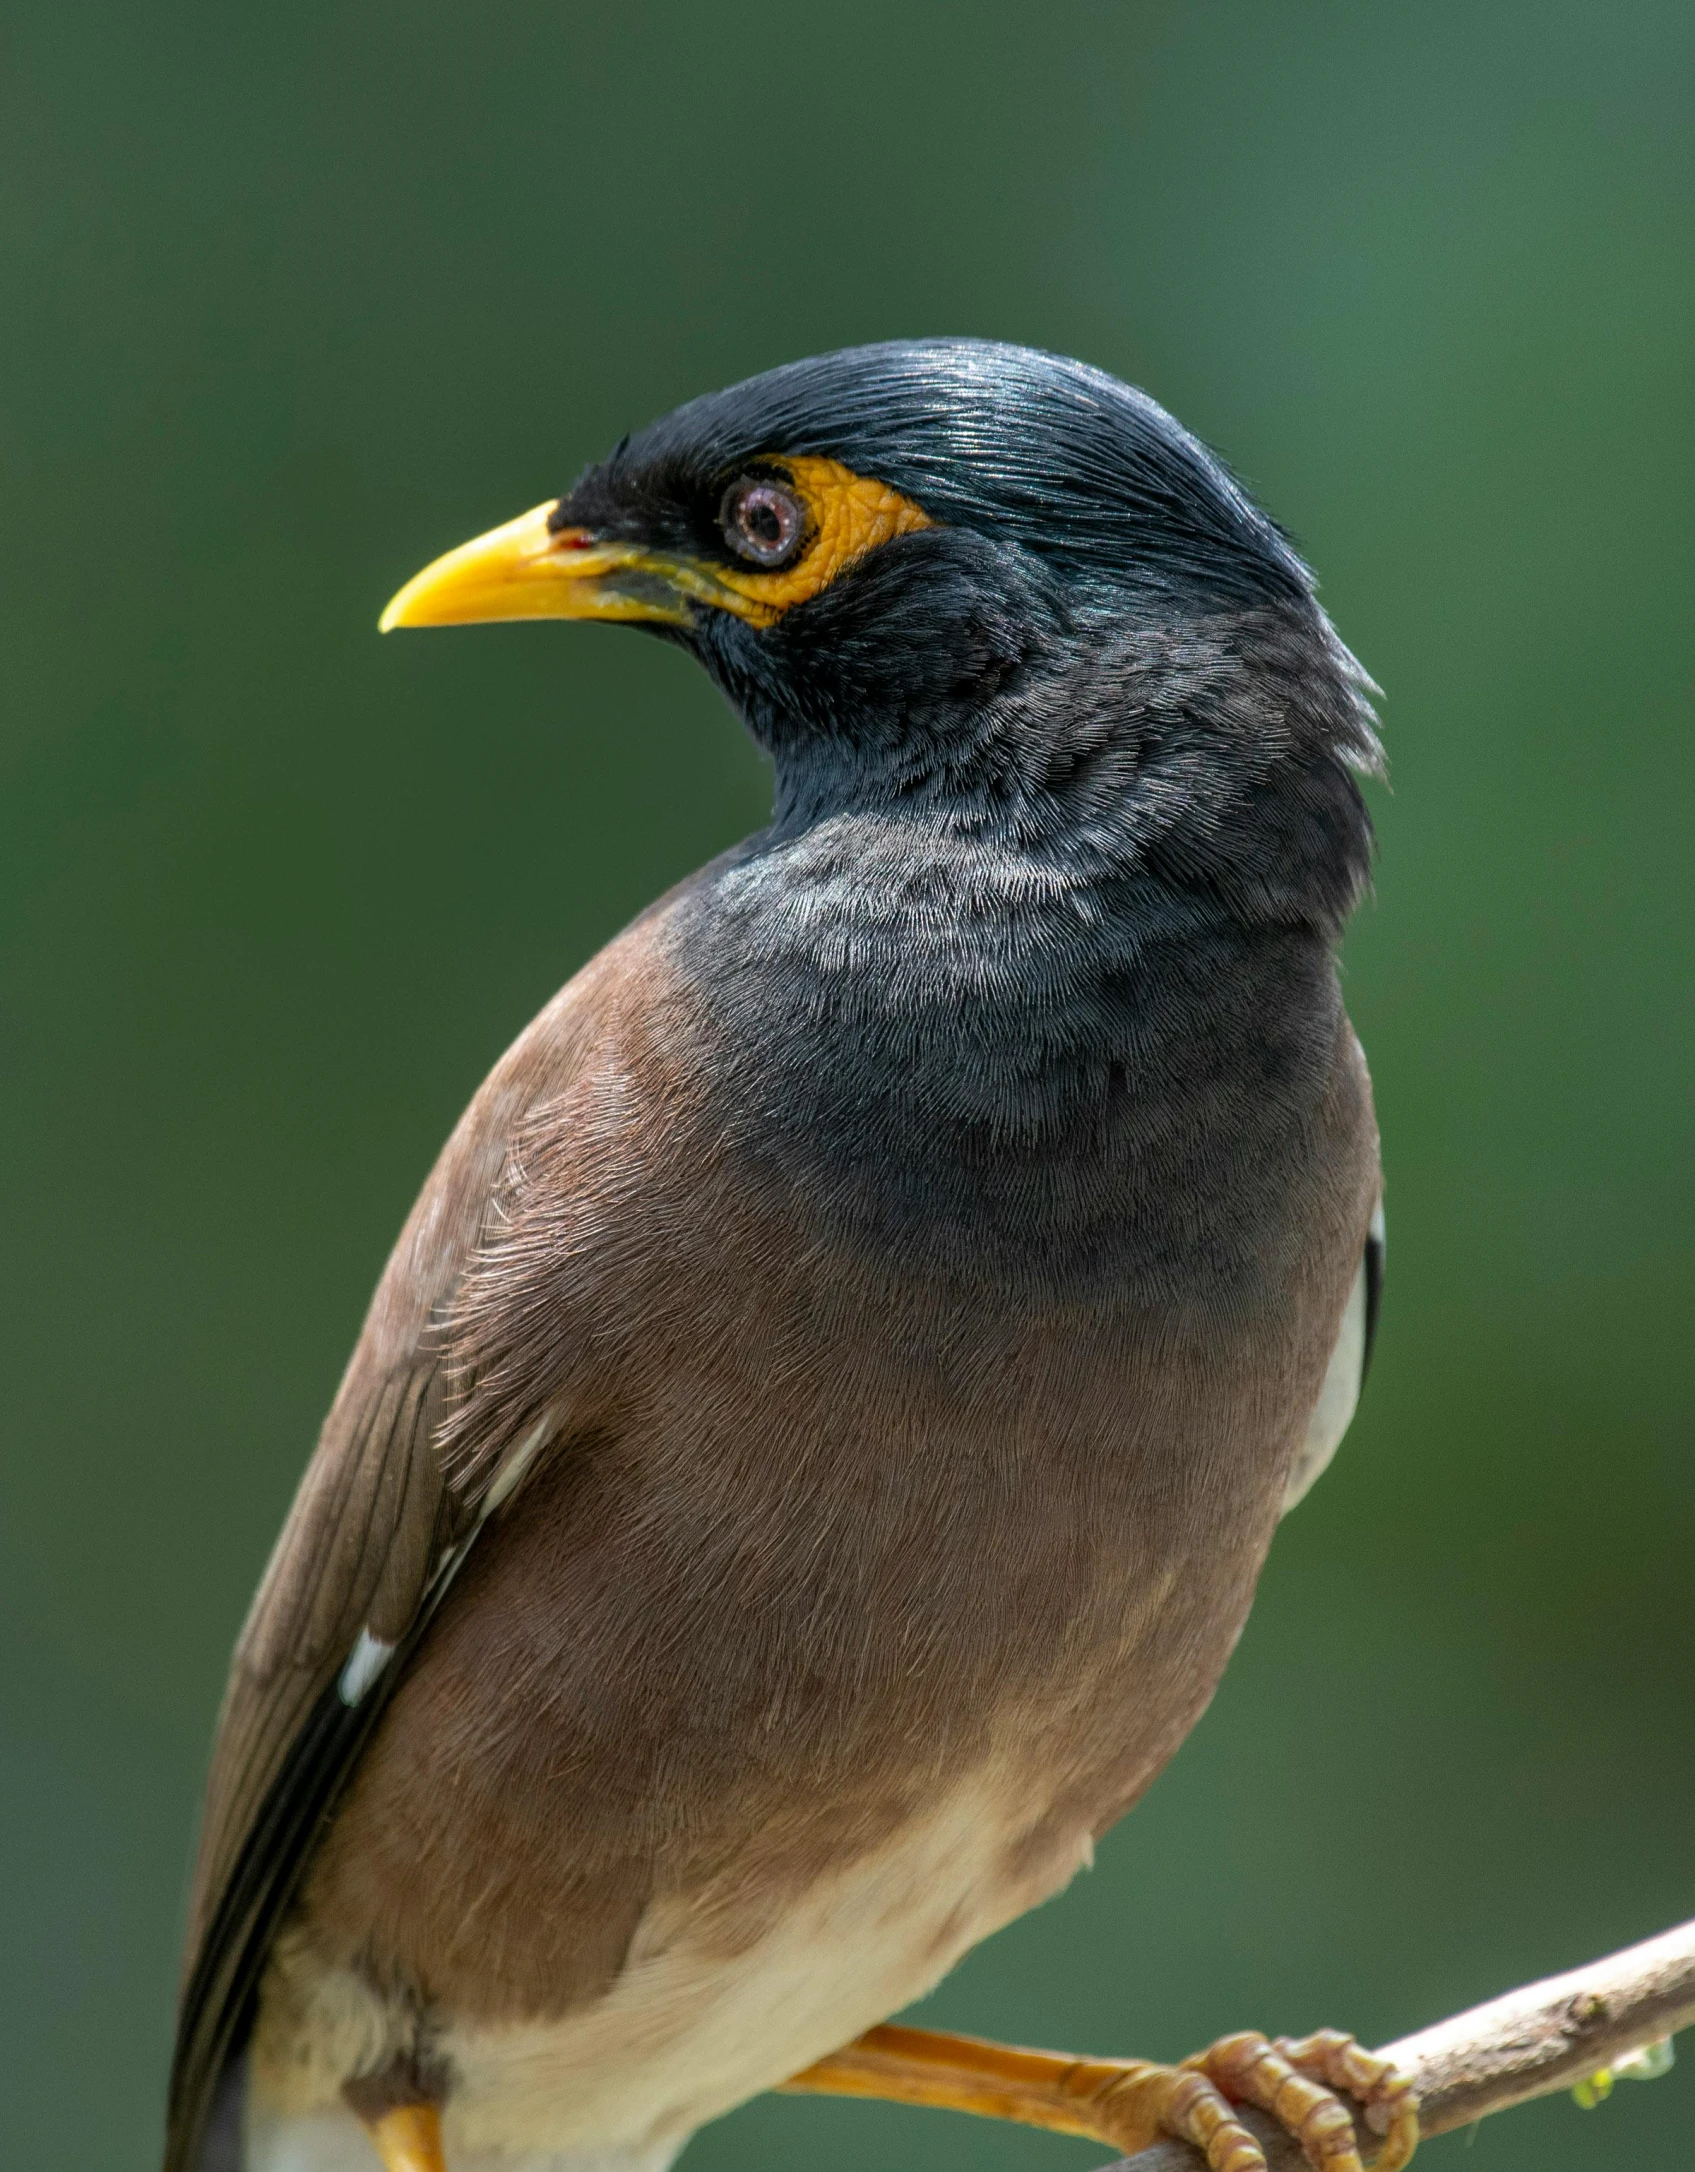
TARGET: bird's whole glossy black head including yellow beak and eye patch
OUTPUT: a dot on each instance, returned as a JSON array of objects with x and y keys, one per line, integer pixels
[{"x": 942, "y": 564}]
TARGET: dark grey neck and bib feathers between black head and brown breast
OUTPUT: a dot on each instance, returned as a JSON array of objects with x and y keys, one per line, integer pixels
[{"x": 1072, "y": 972}]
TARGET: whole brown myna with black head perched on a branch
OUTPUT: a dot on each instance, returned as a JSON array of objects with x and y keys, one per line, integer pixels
[{"x": 812, "y": 1450}]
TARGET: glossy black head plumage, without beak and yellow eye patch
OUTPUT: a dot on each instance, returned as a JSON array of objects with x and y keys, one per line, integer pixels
[{"x": 1101, "y": 637}]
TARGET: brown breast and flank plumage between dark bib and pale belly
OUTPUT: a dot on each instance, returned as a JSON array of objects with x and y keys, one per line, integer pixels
[{"x": 809, "y": 1541}]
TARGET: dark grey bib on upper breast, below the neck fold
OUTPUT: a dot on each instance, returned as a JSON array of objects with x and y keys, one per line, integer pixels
[{"x": 1001, "y": 1063}]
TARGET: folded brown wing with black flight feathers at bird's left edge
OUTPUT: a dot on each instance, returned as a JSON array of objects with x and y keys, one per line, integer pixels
[{"x": 371, "y": 1543}]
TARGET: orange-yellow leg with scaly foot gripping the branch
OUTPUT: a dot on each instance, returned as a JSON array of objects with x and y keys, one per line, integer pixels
[{"x": 1133, "y": 2104}]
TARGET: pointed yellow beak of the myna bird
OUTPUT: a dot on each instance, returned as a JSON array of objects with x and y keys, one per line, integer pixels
[{"x": 531, "y": 572}]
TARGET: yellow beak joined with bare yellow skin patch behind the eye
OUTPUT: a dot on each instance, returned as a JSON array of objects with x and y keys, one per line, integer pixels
[{"x": 529, "y": 572}]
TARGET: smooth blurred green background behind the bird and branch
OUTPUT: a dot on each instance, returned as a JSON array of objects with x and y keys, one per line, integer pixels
[{"x": 299, "y": 296}]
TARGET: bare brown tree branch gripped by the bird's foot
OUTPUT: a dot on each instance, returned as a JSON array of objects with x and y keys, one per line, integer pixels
[{"x": 1531, "y": 2043}]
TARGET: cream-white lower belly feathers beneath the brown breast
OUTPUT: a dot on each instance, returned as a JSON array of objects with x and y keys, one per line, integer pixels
[{"x": 696, "y": 2021}]
